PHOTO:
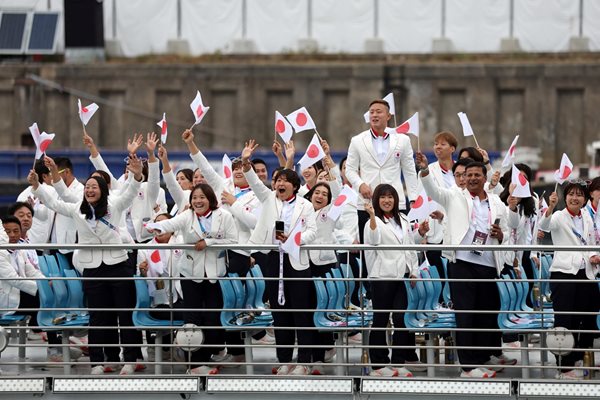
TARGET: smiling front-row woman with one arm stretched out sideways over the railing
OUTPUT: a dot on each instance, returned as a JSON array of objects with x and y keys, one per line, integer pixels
[{"x": 202, "y": 224}]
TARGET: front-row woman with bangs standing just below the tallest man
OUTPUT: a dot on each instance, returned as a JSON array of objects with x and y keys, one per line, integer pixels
[{"x": 387, "y": 271}]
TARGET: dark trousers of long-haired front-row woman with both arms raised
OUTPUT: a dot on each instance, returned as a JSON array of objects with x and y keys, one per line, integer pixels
[{"x": 111, "y": 294}]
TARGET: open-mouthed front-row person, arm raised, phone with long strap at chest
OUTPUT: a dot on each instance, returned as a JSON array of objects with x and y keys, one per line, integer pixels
[{"x": 285, "y": 220}]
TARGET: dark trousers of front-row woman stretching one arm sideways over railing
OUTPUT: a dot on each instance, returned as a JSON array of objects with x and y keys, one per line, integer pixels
[{"x": 207, "y": 296}]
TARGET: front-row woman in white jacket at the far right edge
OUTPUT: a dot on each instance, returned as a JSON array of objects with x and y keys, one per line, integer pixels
[{"x": 572, "y": 227}]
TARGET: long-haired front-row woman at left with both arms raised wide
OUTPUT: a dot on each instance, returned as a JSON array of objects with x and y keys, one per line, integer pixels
[{"x": 96, "y": 219}]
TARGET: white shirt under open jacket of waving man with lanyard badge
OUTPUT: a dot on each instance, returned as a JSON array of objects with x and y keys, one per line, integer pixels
[{"x": 480, "y": 221}]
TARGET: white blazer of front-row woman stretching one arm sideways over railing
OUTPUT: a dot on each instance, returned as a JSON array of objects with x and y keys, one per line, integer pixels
[{"x": 207, "y": 263}]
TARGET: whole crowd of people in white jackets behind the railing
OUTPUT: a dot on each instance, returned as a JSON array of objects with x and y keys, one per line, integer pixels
[{"x": 474, "y": 205}]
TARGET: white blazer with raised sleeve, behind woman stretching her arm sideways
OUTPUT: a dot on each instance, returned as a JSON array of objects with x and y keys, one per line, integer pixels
[{"x": 245, "y": 209}]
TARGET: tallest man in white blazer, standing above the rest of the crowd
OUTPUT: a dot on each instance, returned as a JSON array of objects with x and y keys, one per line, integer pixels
[{"x": 380, "y": 155}]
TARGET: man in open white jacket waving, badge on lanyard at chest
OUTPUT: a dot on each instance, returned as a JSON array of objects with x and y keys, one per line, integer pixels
[{"x": 474, "y": 217}]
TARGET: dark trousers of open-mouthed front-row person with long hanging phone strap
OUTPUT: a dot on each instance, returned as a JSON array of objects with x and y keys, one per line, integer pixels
[{"x": 298, "y": 295}]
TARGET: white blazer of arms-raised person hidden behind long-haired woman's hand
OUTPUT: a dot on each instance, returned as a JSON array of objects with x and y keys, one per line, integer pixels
[{"x": 147, "y": 197}]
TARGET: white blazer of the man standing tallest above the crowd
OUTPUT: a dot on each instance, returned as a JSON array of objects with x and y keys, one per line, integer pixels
[{"x": 362, "y": 165}]
